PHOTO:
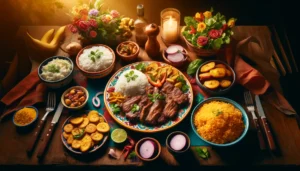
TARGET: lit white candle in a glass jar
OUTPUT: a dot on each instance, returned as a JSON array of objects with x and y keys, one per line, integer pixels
[{"x": 170, "y": 25}]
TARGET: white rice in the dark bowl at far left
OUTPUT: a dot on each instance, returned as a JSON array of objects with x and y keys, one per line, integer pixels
[{"x": 62, "y": 69}]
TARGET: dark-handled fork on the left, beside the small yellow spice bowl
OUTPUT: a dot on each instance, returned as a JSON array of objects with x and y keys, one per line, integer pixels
[{"x": 51, "y": 102}]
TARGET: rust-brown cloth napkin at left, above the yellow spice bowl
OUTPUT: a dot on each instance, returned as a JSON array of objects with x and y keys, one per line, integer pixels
[{"x": 27, "y": 92}]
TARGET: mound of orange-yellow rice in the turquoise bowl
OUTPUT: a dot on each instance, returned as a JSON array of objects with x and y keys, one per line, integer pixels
[{"x": 219, "y": 122}]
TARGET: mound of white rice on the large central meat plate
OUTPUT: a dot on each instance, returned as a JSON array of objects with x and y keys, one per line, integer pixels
[{"x": 133, "y": 87}]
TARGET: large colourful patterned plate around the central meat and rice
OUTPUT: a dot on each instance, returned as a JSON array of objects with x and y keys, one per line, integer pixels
[{"x": 140, "y": 127}]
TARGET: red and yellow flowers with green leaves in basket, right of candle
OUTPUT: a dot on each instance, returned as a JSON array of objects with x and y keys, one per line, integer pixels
[{"x": 205, "y": 33}]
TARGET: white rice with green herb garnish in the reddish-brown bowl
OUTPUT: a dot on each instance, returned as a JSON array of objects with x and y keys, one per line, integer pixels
[{"x": 100, "y": 64}]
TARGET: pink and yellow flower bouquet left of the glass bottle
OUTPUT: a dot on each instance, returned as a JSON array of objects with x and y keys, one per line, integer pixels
[{"x": 100, "y": 26}]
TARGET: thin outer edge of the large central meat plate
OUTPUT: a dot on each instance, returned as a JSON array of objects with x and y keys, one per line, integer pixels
[{"x": 139, "y": 130}]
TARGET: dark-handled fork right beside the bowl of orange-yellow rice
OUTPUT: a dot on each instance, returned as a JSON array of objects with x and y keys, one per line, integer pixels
[{"x": 250, "y": 108}]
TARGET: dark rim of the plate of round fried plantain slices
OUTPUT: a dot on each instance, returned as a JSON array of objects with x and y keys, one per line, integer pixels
[{"x": 105, "y": 138}]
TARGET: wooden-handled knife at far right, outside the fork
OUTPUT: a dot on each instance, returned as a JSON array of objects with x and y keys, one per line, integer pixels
[{"x": 264, "y": 123}]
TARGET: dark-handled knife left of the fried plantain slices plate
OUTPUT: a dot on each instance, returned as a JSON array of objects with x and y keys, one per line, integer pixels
[{"x": 50, "y": 131}]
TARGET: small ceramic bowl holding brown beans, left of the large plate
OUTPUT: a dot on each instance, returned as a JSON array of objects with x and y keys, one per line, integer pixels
[{"x": 83, "y": 103}]
